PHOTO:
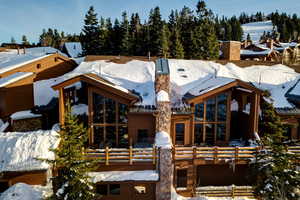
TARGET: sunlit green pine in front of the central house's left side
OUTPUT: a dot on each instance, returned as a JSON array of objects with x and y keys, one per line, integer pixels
[{"x": 72, "y": 180}]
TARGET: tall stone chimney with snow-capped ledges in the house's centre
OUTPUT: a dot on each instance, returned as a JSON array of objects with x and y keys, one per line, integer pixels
[{"x": 163, "y": 128}]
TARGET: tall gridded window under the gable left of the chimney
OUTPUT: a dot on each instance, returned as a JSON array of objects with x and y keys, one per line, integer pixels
[{"x": 109, "y": 122}]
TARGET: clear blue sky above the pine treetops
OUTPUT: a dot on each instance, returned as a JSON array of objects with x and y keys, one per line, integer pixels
[{"x": 29, "y": 17}]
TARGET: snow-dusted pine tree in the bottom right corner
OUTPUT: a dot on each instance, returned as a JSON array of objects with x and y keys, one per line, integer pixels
[{"x": 275, "y": 168}]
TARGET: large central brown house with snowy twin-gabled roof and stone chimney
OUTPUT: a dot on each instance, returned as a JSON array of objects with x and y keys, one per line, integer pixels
[{"x": 137, "y": 111}]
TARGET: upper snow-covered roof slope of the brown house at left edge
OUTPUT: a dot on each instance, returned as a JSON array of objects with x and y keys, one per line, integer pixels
[{"x": 10, "y": 60}]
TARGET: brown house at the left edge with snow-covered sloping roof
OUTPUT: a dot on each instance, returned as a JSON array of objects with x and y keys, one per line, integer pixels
[{"x": 20, "y": 68}]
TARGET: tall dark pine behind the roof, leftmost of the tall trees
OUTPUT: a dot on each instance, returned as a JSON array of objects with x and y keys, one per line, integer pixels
[{"x": 90, "y": 37}]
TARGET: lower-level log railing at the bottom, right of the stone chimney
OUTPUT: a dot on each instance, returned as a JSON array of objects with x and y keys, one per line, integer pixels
[{"x": 226, "y": 191}]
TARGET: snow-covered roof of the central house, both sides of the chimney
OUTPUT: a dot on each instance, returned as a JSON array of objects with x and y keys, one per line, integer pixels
[{"x": 186, "y": 76}]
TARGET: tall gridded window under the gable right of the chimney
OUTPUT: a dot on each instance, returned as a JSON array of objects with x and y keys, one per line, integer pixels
[{"x": 210, "y": 120}]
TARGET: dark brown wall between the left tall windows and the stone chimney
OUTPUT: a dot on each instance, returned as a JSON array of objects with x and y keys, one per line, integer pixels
[{"x": 138, "y": 121}]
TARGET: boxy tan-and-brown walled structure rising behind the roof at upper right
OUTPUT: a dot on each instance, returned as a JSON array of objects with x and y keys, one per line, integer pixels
[{"x": 231, "y": 50}]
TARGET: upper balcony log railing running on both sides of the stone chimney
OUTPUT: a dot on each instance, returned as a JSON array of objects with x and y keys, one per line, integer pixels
[{"x": 199, "y": 155}]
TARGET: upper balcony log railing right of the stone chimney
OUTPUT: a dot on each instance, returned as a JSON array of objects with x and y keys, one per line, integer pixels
[{"x": 221, "y": 153}]
